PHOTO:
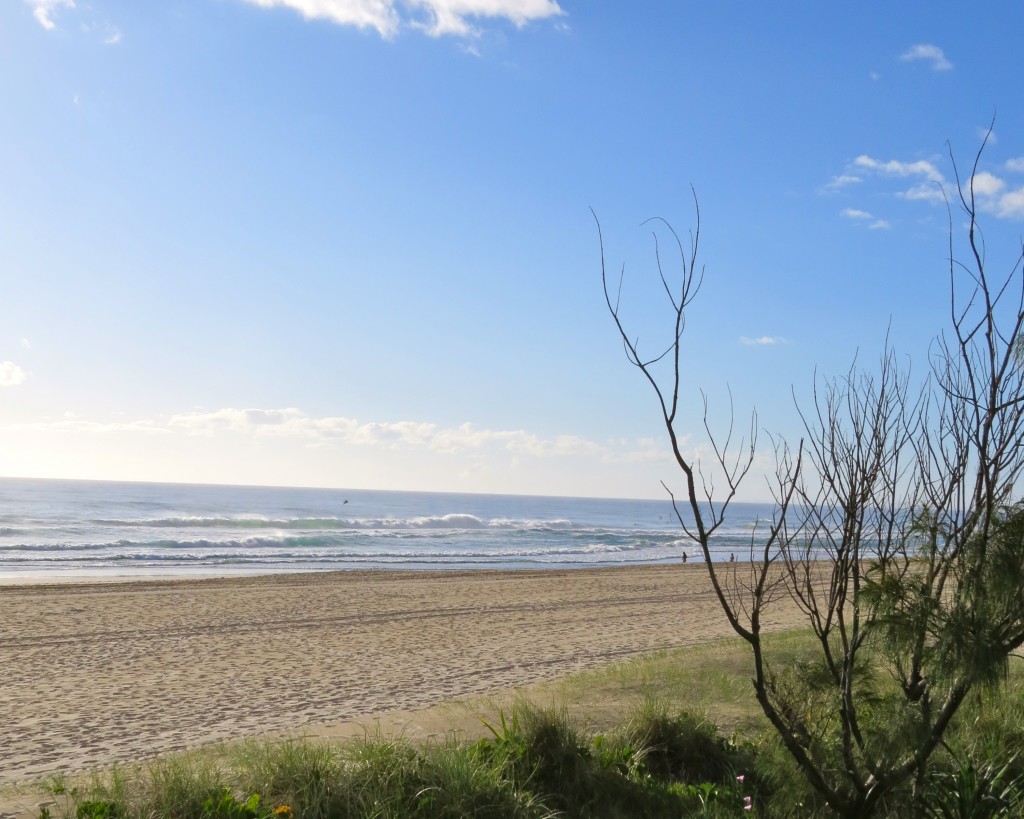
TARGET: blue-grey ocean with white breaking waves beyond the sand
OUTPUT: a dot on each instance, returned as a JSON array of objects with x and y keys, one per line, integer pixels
[{"x": 52, "y": 530}]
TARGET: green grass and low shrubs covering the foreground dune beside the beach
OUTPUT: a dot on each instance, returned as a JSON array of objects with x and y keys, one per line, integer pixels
[{"x": 674, "y": 735}]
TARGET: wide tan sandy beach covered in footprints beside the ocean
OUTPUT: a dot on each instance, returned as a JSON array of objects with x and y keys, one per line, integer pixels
[{"x": 100, "y": 673}]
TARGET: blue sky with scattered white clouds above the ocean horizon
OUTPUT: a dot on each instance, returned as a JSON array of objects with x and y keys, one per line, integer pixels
[{"x": 353, "y": 243}]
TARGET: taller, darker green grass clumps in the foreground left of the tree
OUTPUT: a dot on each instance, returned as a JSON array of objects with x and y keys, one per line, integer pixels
[{"x": 536, "y": 763}]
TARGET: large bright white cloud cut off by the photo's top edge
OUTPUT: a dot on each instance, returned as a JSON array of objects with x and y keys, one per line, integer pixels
[{"x": 437, "y": 18}]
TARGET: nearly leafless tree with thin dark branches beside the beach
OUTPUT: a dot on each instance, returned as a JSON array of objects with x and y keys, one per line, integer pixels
[{"x": 894, "y": 530}]
